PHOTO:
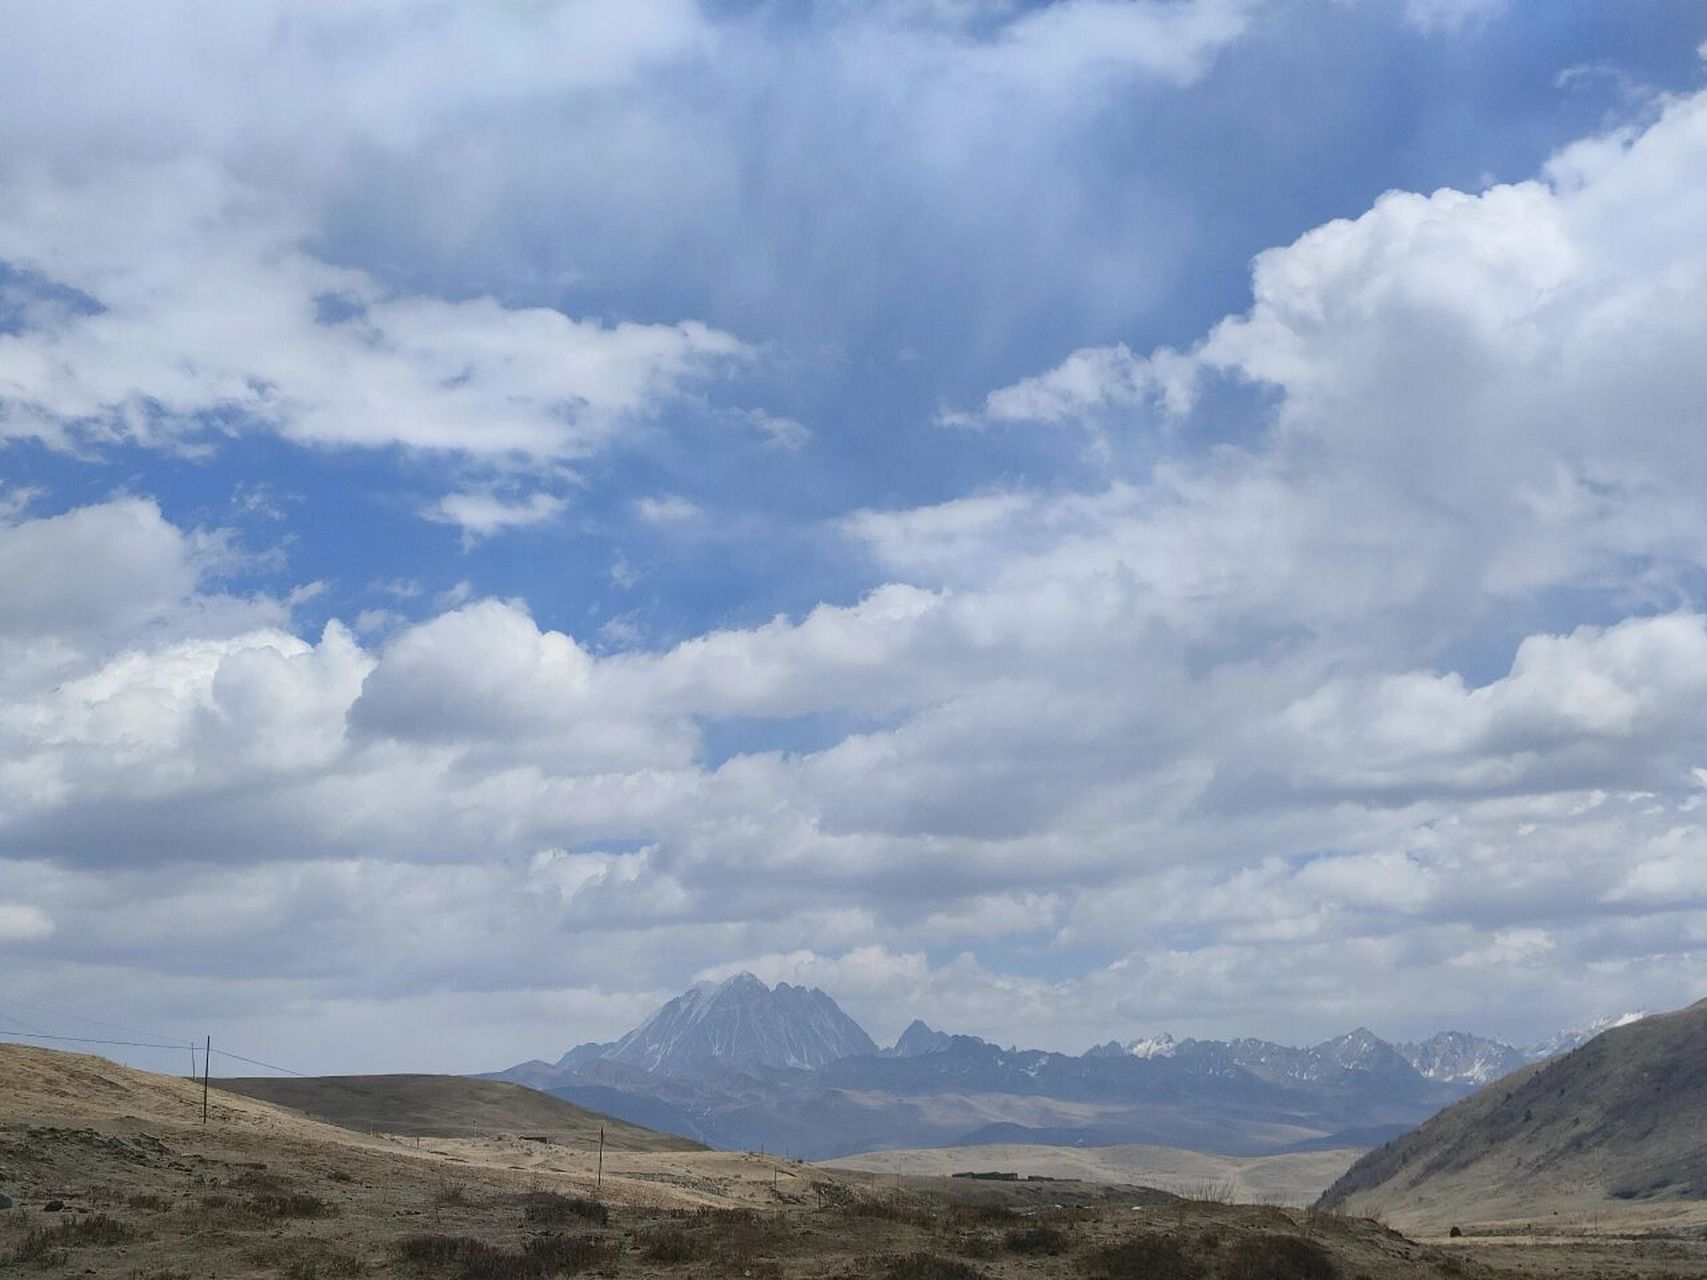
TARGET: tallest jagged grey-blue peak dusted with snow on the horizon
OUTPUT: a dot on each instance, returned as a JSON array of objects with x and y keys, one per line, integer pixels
[{"x": 742, "y": 1023}]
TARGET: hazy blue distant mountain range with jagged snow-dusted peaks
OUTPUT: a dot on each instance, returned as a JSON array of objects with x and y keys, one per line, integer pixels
[{"x": 784, "y": 1069}]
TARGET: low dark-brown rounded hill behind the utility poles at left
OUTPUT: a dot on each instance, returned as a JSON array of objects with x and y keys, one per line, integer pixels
[{"x": 448, "y": 1107}]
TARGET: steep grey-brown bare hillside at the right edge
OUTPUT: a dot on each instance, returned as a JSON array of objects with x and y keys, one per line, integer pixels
[{"x": 1614, "y": 1132}]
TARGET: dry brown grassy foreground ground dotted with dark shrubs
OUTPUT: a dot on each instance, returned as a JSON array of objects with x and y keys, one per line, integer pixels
[{"x": 146, "y": 1192}]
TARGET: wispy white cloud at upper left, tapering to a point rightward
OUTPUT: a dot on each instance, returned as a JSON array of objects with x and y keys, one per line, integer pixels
[{"x": 209, "y": 318}]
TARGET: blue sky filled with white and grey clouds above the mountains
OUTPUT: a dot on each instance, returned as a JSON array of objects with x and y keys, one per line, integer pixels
[{"x": 1063, "y": 520}]
